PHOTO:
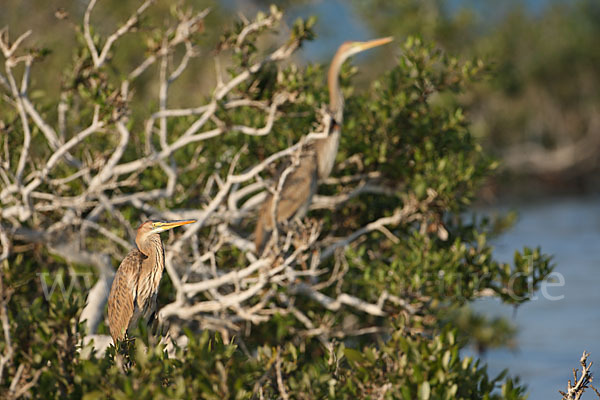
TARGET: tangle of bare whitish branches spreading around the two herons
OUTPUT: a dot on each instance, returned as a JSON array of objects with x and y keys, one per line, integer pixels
[{"x": 76, "y": 198}]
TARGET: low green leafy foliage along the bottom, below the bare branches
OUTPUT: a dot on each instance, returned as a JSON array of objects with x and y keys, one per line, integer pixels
[{"x": 404, "y": 367}]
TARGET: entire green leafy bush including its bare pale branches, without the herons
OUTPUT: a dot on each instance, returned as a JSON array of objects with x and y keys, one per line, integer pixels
[{"x": 355, "y": 301}]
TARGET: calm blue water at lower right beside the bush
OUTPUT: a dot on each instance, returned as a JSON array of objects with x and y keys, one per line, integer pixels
[{"x": 553, "y": 334}]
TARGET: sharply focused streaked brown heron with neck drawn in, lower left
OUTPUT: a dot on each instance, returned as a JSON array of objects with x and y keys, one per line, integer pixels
[{"x": 135, "y": 287}]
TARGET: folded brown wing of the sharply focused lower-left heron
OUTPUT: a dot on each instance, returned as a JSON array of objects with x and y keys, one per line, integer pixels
[{"x": 122, "y": 295}]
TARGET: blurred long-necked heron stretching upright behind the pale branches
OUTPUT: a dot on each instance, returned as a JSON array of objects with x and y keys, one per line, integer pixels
[{"x": 315, "y": 161}]
